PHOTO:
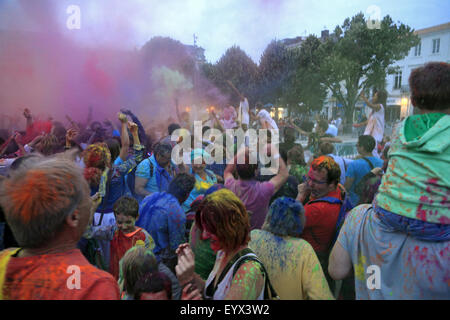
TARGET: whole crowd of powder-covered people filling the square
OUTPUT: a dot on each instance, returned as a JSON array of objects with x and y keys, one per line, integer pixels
[{"x": 99, "y": 210}]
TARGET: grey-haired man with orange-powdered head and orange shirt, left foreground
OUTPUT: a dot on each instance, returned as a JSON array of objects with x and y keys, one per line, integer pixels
[{"x": 48, "y": 207}]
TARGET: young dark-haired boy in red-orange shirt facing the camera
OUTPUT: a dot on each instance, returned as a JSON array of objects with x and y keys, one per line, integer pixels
[{"x": 124, "y": 234}]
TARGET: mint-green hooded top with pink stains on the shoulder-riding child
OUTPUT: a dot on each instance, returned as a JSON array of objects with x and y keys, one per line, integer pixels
[{"x": 417, "y": 184}]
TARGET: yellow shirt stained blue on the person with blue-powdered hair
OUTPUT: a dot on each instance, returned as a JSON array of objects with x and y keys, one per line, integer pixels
[{"x": 293, "y": 267}]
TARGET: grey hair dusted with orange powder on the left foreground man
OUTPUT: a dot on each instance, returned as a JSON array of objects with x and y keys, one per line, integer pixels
[{"x": 37, "y": 199}]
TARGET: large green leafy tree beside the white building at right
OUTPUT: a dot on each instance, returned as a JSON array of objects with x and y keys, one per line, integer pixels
[{"x": 356, "y": 58}]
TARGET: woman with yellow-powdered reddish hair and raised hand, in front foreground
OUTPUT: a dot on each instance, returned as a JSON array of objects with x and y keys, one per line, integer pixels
[{"x": 223, "y": 219}]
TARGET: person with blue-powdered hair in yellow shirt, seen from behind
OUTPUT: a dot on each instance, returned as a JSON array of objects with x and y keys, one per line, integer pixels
[{"x": 291, "y": 262}]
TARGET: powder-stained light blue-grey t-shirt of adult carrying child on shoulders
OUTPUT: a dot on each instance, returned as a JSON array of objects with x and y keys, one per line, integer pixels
[{"x": 393, "y": 265}]
